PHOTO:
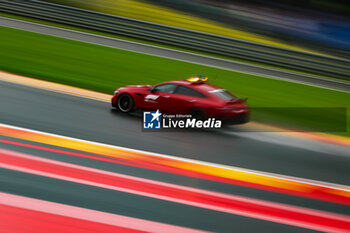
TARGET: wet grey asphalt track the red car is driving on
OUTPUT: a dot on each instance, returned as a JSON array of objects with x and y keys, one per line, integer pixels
[{"x": 93, "y": 120}]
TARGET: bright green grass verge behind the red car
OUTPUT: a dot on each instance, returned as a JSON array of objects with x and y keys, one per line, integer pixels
[{"x": 103, "y": 69}]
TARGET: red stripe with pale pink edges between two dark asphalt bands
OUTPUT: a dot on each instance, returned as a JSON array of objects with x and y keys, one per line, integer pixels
[{"x": 286, "y": 214}]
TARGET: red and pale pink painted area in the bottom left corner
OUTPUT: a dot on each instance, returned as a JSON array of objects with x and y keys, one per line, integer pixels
[{"x": 42, "y": 216}]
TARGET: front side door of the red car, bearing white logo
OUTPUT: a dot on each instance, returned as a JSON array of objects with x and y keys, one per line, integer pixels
[{"x": 158, "y": 96}]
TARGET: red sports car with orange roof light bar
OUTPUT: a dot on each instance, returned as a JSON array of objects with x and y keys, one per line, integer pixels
[{"x": 191, "y": 96}]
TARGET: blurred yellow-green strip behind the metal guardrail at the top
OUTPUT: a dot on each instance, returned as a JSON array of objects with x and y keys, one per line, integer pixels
[{"x": 149, "y": 12}]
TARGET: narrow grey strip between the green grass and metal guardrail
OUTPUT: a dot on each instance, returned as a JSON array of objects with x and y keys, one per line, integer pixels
[{"x": 179, "y": 55}]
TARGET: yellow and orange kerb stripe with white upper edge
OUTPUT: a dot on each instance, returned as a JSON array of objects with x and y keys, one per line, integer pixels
[{"x": 170, "y": 164}]
